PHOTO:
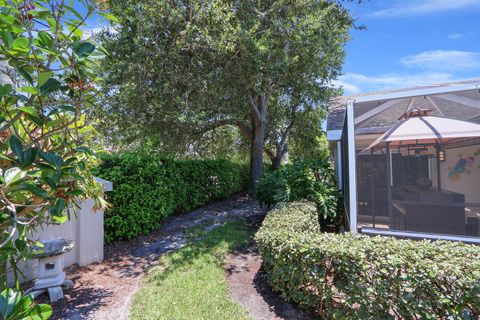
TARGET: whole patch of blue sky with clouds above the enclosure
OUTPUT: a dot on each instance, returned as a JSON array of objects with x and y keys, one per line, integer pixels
[{"x": 412, "y": 42}]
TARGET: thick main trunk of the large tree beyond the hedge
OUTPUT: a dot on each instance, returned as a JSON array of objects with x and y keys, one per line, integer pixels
[{"x": 259, "y": 121}]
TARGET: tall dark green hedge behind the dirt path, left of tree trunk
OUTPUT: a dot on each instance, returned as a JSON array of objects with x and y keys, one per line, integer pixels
[{"x": 149, "y": 188}]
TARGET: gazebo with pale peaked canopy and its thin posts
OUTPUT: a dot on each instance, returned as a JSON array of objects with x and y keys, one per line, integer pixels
[{"x": 416, "y": 128}]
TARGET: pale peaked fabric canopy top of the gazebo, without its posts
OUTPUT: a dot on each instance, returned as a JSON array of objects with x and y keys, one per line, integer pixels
[{"x": 427, "y": 130}]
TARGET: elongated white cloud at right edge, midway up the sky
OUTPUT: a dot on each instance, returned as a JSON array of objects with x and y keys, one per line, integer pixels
[{"x": 444, "y": 60}]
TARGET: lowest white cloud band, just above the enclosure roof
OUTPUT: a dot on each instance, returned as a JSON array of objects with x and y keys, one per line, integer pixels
[{"x": 364, "y": 83}]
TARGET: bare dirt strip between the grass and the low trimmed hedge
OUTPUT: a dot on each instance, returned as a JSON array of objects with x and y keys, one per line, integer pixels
[{"x": 249, "y": 288}]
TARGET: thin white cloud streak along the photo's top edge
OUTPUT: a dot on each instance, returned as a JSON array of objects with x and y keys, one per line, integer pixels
[{"x": 415, "y": 7}]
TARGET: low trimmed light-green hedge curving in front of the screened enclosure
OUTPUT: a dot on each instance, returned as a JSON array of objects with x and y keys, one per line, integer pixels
[{"x": 341, "y": 276}]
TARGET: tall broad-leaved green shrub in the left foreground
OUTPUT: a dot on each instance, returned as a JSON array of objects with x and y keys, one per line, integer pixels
[{"x": 47, "y": 91}]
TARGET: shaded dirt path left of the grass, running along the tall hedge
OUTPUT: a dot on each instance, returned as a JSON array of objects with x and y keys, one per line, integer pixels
[{"x": 105, "y": 290}]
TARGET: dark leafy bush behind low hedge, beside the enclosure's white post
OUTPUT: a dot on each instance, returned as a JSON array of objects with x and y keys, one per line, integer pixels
[{"x": 302, "y": 180}]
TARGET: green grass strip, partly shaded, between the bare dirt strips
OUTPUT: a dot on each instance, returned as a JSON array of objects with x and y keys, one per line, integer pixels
[{"x": 190, "y": 283}]
